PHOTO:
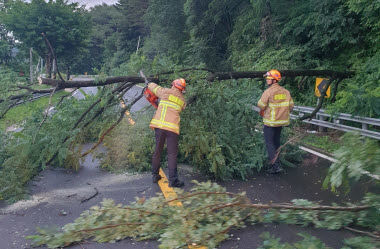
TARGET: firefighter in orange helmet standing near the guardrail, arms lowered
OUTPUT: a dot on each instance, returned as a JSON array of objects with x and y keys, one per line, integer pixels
[{"x": 275, "y": 106}]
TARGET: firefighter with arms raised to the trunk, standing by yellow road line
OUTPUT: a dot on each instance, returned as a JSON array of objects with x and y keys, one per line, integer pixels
[{"x": 165, "y": 123}]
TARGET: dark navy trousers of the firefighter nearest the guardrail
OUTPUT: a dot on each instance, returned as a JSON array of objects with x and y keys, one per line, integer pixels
[{"x": 272, "y": 137}]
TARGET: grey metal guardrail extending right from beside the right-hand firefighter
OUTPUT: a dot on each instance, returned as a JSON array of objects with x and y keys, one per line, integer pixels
[{"x": 324, "y": 119}]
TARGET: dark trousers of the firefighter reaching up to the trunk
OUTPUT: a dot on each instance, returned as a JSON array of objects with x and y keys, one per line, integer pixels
[{"x": 172, "y": 146}]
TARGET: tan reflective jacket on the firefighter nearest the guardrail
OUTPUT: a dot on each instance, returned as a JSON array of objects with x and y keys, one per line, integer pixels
[{"x": 277, "y": 105}]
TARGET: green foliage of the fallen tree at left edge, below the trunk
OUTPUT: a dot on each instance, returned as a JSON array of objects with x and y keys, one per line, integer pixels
[{"x": 27, "y": 152}]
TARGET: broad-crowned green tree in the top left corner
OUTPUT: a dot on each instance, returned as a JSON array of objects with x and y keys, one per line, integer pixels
[{"x": 66, "y": 26}]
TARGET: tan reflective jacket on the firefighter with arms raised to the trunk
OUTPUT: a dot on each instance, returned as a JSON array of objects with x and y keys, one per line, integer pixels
[{"x": 171, "y": 104}]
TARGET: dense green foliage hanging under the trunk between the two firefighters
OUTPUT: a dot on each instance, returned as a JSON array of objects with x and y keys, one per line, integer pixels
[{"x": 221, "y": 132}]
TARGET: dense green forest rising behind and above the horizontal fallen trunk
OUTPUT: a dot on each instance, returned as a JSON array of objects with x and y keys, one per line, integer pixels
[{"x": 219, "y": 35}]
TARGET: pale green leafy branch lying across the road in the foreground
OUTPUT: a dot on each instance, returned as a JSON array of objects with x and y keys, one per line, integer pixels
[{"x": 207, "y": 214}]
